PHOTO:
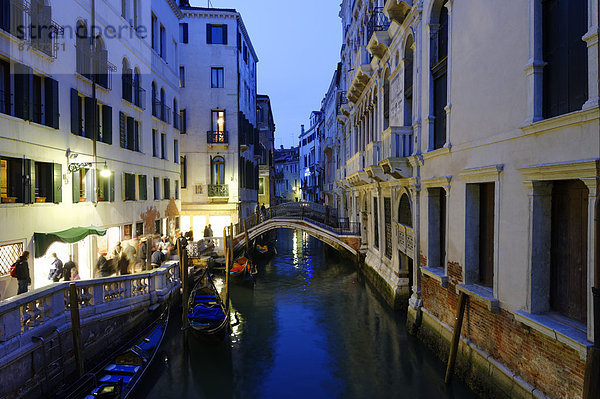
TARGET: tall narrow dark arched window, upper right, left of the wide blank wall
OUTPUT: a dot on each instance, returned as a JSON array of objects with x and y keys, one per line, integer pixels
[{"x": 439, "y": 74}]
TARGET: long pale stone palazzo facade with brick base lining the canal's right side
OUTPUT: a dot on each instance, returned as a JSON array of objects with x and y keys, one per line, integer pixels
[{"x": 475, "y": 171}]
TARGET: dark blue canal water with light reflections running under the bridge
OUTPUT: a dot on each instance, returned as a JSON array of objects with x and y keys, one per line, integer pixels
[{"x": 311, "y": 327}]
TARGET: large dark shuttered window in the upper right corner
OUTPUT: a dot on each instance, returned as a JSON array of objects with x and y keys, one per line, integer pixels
[{"x": 565, "y": 76}]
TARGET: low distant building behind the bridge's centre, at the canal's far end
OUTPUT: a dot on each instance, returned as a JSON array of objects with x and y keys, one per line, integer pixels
[{"x": 287, "y": 175}]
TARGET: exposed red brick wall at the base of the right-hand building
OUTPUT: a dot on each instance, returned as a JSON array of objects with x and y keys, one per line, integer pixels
[{"x": 548, "y": 365}]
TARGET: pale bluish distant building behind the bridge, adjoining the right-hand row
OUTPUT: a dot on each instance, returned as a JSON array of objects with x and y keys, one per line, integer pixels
[{"x": 309, "y": 158}]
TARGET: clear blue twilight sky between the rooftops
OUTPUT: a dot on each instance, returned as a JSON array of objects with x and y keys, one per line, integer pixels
[{"x": 298, "y": 46}]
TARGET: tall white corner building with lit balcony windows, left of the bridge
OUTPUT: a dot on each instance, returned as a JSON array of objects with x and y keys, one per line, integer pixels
[{"x": 217, "y": 71}]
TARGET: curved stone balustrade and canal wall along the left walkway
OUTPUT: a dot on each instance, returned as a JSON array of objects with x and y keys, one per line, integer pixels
[{"x": 36, "y": 345}]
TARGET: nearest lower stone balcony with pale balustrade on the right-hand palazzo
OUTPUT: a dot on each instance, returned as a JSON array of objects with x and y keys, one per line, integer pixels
[{"x": 397, "y": 147}]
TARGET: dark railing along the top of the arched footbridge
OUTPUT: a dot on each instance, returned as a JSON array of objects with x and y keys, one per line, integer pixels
[{"x": 321, "y": 215}]
